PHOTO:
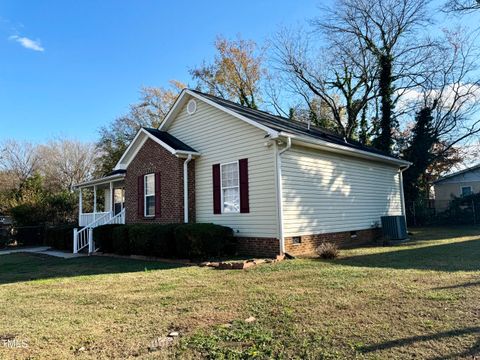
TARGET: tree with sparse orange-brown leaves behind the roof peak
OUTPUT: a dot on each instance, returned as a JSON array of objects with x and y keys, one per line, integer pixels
[{"x": 235, "y": 73}]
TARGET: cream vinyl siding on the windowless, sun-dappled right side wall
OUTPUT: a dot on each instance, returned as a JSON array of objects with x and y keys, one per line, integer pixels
[{"x": 325, "y": 192}]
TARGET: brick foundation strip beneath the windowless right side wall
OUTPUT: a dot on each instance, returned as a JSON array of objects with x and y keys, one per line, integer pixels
[{"x": 345, "y": 239}]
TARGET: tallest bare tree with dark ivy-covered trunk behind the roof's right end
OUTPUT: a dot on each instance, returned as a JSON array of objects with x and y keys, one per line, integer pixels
[{"x": 388, "y": 29}]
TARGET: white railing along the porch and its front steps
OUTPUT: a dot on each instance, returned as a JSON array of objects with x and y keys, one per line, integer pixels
[{"x": 84, "y": 237}]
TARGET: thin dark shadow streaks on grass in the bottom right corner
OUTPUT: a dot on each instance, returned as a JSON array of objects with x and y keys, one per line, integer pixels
[{"x": 475, "y": 350}]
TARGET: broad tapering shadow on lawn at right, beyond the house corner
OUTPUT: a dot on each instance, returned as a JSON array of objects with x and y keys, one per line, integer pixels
[{"x": 458, "y": 256}]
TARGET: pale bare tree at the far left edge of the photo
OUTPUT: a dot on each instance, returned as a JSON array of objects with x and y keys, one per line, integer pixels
[{"x": 19, "y": 158}]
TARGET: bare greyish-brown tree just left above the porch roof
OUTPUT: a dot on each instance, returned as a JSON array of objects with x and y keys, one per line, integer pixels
[{"x": 66, "y": 162}]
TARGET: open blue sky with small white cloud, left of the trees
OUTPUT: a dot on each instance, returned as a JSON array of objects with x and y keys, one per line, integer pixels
[{"x": 87, "y": 59}]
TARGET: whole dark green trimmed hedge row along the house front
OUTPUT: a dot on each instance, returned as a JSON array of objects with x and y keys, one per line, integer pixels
[{"x": 186, "y": 241}]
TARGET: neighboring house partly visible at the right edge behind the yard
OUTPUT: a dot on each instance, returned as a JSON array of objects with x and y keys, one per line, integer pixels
[{"x": 459, "y": 184}]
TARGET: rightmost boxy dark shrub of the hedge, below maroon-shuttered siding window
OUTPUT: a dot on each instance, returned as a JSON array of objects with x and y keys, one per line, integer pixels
[{"x": 196, "y": 241}]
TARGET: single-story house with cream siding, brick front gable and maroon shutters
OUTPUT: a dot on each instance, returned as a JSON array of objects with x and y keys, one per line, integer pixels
[{"x": 281, "y": 185}]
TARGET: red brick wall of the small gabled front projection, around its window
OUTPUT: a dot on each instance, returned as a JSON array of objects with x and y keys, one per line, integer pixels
[{"x": 153, "y": 158}]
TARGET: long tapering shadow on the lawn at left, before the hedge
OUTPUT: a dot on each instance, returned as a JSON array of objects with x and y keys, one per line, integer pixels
[{"x": 26, "y": 267}]
